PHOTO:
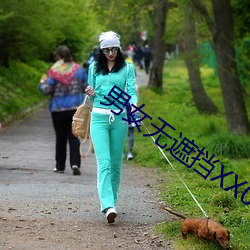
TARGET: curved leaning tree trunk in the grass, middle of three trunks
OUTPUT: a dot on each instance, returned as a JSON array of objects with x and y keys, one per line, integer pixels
[{"x": 202, "y": 101}]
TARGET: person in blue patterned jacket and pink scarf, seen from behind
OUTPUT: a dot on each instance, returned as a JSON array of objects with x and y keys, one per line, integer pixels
[{"x": 65, "y": 84}]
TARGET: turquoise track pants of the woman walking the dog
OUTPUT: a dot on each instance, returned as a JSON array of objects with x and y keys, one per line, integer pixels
[{"x": 108, "y": 139}]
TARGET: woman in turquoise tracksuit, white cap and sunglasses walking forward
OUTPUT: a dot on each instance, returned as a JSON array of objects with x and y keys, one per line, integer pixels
[{"x": 109, "y": 131}]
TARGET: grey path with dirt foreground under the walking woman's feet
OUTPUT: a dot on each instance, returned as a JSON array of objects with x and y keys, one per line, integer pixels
[{"x": 43, "y": 210}]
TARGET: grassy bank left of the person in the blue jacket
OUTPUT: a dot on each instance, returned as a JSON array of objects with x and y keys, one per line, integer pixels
[{"x": 19, "y": 88}]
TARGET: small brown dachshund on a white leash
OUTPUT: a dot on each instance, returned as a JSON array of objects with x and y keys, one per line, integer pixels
[{"x": 204, "y": 228}]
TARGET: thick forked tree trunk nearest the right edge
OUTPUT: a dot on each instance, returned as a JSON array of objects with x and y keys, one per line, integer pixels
[{"x": 223, "y": 38}]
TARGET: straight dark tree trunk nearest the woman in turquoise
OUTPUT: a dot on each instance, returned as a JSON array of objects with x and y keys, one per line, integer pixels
[{"x": 159, "y": 47}]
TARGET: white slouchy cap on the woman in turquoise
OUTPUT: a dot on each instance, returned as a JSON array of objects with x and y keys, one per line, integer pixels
[{"x": 109, "y": 39}]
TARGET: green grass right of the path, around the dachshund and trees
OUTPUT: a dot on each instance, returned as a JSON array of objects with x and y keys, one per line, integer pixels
[{"x": 176, "y": 107}]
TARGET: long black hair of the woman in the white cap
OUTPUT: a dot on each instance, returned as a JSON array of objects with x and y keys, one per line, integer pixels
[{"x": 102, "y": 67}]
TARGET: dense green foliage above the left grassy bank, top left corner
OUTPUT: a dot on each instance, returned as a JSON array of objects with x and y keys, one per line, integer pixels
[{"x": 29, "y": 34}]
